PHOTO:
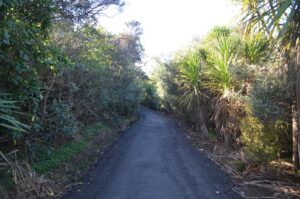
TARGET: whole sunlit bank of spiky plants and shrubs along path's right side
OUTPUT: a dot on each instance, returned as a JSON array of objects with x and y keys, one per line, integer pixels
[{"x": 239, "y": 88}]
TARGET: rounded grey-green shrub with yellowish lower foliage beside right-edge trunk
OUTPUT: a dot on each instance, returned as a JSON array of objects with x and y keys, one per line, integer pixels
[{"x": 269, "y": 102}]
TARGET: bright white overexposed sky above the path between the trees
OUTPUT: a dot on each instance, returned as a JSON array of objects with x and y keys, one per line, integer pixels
[{"x": 170, "y": 25}]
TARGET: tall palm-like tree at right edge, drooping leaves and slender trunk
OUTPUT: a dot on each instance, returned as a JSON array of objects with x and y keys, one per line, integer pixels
[{"x": 280, "y": 20}]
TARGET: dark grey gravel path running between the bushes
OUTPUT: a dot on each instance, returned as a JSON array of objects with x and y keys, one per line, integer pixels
[{"x": 153, "y": 160}]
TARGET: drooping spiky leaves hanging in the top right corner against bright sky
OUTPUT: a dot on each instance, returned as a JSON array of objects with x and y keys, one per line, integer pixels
[{"x": 280, "y": 19}]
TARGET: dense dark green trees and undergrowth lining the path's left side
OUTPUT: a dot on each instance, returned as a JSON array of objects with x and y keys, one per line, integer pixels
[{"x": 59, "y": 75}]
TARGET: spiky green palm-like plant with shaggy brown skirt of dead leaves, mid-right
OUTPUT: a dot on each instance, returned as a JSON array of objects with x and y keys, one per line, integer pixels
[{"x": 220, "y": 79}]
